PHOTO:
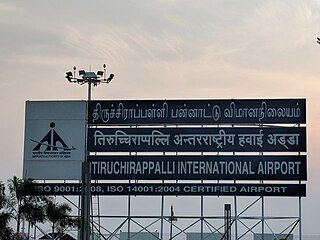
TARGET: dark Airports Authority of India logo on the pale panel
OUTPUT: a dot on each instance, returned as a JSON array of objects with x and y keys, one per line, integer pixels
[{"x": 52, "y": 146}]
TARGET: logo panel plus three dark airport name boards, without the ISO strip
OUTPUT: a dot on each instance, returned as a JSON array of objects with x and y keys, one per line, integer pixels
[{"x": 60, "y": 135}]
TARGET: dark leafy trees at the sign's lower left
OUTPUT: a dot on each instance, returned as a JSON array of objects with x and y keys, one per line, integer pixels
[{"x": 24, "y": 202}]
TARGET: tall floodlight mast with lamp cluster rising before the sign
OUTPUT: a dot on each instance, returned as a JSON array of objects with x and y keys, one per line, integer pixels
[{"x": 90, "y": 78}]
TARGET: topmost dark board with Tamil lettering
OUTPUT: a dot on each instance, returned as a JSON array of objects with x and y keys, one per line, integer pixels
[{"x": 232, "y": 111}]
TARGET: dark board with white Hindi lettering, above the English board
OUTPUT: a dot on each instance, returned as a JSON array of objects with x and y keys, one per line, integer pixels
[{"x": 203, "y": 139}]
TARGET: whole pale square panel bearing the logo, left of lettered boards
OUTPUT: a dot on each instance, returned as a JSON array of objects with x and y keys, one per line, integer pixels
[{"x": 54, "y": 145}]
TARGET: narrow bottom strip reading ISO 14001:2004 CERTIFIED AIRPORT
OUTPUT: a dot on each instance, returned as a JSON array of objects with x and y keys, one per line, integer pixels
[{"x": 175, "y": 189}]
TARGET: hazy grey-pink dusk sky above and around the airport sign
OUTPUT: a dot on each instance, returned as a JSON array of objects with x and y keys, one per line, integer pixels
[{"x": 161, "y": 49}]
